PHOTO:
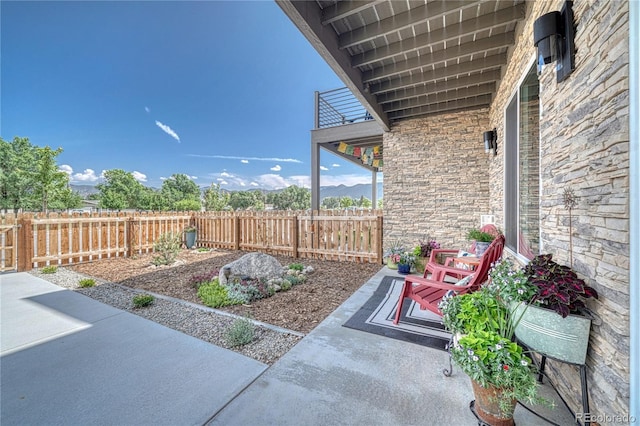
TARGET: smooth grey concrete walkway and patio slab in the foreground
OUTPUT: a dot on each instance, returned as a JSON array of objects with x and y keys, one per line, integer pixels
[{"x": 67, "y": 359}]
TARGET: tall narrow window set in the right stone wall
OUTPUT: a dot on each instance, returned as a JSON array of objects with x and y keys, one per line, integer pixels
[{"x": 522, "y": 168}]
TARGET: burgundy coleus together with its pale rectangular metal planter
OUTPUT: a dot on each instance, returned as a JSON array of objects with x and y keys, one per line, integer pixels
[{"x": 553, "y": 321}]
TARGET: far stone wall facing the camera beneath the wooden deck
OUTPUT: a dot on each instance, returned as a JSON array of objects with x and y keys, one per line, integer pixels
[{"x": 436, "y": 178}]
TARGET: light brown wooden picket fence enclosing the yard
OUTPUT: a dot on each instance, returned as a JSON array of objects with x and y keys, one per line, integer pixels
[{"x": 33, "y": 240}]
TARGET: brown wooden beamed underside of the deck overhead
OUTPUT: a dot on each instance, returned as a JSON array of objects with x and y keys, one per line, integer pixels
[{"x": 406, "y": 58}]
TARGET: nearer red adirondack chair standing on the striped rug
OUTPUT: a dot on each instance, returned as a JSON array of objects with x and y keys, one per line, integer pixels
[{"x": 428, "y": 293}]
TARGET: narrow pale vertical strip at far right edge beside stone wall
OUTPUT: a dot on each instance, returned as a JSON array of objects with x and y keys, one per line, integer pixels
[{"x": 634, "y": 201}]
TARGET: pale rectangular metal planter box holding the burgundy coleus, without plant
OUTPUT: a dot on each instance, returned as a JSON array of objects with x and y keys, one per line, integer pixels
[{"x": 546, "y": 332}]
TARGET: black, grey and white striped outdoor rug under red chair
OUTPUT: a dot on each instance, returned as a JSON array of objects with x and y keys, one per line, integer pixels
[{"x": 416, "y": 326}]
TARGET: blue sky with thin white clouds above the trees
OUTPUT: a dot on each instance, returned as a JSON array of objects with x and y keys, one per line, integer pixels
[{"x": 221, "y": 91}]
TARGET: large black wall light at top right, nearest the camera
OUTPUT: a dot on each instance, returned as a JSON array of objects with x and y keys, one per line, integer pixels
[{"x": 553, "y": 35}]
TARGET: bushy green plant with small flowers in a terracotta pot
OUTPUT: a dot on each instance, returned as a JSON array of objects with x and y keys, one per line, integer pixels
[{"x": 484, "y": 323}]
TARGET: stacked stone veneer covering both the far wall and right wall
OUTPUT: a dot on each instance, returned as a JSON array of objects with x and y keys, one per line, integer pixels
[{"x": 438, "y": 181}]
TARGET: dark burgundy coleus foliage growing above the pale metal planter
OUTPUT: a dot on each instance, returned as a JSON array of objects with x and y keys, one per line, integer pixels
[{"x": 559, "y": 288}]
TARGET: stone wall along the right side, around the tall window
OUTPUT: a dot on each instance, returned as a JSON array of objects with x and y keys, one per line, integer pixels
[{"x": 585, "y": 147}]
